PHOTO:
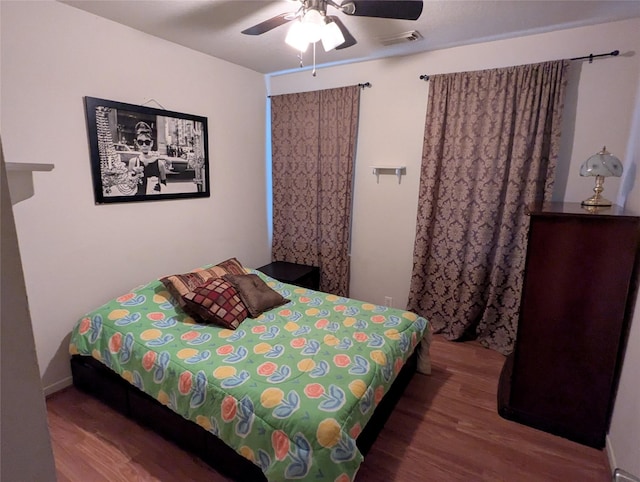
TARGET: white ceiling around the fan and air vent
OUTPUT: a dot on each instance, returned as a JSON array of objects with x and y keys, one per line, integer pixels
[{"x": 213, "y": 26}]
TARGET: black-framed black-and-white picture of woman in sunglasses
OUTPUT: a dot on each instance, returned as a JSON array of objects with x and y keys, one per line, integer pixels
[{"x": 141, "y": 153}]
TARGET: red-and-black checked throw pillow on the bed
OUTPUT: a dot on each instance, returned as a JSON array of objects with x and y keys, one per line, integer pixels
[{"x": 216, "y": 301}]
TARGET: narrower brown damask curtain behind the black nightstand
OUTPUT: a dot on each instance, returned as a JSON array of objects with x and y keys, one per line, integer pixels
[{"x": 313, "y": 136}]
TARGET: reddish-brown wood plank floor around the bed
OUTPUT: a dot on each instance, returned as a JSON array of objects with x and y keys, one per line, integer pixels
[{"x": 445, "y": 428}]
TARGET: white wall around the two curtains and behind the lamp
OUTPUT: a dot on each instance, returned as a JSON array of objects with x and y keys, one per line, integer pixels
[{"x": 598, "y": 112}]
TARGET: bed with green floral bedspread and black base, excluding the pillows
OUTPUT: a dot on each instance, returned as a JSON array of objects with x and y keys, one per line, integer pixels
[{"x": 297, "y": 393}]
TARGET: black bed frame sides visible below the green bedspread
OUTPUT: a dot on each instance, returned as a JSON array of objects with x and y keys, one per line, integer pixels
[{"x": 93, "y": 377}]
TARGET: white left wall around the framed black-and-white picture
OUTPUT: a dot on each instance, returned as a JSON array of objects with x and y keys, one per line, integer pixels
[{"x": 78, "y": 255}]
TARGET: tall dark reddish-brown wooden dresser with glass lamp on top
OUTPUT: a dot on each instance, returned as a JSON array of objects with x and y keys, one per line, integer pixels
[{"x": 576, "y": 307}]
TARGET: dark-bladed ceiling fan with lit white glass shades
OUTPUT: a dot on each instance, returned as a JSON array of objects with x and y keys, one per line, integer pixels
[{"x": 313, "y": 23}]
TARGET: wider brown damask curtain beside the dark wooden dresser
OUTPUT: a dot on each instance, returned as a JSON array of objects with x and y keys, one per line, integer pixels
[{"x": 490, "y": 148}]
